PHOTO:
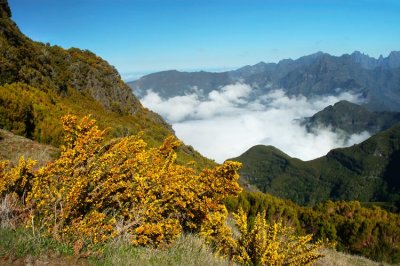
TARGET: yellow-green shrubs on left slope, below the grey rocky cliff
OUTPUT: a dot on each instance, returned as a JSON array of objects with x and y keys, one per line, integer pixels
[{"x": 42, "y": 112}]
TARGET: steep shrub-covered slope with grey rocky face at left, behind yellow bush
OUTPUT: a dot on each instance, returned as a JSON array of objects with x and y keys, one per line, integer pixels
[{"x": 40, "y": 83}]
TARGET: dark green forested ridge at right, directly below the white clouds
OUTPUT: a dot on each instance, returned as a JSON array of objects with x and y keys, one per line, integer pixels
[{"x": 368, "y": 172}]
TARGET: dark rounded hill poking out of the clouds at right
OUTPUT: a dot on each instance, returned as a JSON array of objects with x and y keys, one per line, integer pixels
[{"x": 352, "y": 118}]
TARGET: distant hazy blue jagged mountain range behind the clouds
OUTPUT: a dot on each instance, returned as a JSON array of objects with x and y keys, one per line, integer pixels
[{"x": 375, "y": 80}]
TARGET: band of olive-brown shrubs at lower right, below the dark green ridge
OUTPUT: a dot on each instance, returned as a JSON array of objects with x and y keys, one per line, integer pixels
[{"x": 370, "y": 232}]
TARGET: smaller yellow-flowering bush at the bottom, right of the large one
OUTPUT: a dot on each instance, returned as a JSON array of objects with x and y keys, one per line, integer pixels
[{"x": 272, "y": 244}]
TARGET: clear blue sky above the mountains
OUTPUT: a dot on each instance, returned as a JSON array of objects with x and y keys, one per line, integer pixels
[{"x": 142, "y": 36}]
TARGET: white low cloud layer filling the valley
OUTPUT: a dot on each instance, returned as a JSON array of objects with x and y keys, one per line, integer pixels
[{"x": 225, "y": 123}]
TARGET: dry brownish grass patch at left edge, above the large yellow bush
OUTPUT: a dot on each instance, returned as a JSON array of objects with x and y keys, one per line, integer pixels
[{"x": 12, "y": 147}]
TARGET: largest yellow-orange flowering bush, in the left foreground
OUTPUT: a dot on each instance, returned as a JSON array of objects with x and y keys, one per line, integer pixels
[{"x": 97, "y": 190}]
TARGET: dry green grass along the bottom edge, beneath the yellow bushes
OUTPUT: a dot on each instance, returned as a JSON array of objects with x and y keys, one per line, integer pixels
[{"x": 22, "y": 247}]
